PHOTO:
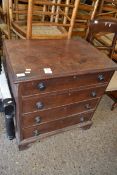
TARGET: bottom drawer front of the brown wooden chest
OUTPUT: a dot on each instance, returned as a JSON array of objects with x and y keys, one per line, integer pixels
[{"x": 55, "y": 125}]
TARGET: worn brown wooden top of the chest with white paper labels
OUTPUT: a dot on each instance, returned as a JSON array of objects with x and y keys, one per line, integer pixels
[{"x": 30, "y": 59}]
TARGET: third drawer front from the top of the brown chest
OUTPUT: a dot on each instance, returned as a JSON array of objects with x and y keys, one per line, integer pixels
[{"x": 40, "y": 117}]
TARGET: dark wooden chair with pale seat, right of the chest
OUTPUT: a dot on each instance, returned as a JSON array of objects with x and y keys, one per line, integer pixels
[{"x": 105, "y": 26}]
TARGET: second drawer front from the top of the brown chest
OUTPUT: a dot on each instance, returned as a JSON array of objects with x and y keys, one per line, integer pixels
[{"x": 43, "y": 102}]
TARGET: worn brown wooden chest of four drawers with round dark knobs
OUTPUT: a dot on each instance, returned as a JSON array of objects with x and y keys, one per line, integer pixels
[{"x": 56, "y": 85}]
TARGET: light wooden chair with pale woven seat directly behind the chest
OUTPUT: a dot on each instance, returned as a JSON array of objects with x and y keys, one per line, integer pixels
[{"x": 43, "y": 19}]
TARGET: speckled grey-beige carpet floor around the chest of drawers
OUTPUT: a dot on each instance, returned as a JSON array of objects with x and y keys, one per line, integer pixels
[{"x": 75, "y": 152}]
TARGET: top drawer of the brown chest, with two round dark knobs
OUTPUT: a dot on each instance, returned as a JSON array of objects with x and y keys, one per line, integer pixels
[{"x": 56, "y": 84}]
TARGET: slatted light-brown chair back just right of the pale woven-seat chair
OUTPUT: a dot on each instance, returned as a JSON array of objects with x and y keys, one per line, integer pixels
[{"x": 86, "y": 12}]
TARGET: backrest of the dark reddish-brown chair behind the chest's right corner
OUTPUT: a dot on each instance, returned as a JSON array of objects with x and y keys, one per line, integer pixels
[{"x": 97, "y": 29}]
